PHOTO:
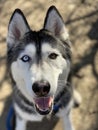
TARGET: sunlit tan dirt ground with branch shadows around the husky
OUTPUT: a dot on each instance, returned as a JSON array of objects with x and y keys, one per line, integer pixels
[{"x": 81, "y": 19}]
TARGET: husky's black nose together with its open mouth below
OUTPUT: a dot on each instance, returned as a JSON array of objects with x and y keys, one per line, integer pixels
[{"x": 43, "y": 102}]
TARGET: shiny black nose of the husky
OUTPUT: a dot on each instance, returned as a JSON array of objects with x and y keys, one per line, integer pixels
[{"x": 41, "y": 88}]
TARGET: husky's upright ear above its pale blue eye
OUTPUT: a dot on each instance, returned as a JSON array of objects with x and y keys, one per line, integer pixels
[{"x": 18, "y": 26}]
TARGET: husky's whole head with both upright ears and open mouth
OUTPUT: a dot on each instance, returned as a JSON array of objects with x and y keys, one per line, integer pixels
[{"x": 38, "y": 60}]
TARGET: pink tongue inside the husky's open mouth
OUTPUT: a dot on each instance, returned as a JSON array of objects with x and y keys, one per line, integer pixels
[{"x": 43, "y": 102}]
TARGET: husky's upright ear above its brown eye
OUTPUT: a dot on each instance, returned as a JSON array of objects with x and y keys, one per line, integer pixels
[{"x": 55, "y": 24}]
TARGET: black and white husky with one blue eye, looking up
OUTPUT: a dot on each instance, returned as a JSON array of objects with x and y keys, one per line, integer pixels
[{"x": 40, "y": 63}]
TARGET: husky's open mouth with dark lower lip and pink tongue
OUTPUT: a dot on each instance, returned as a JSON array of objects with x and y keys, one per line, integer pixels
[{"x": 43, "y": 105}]
